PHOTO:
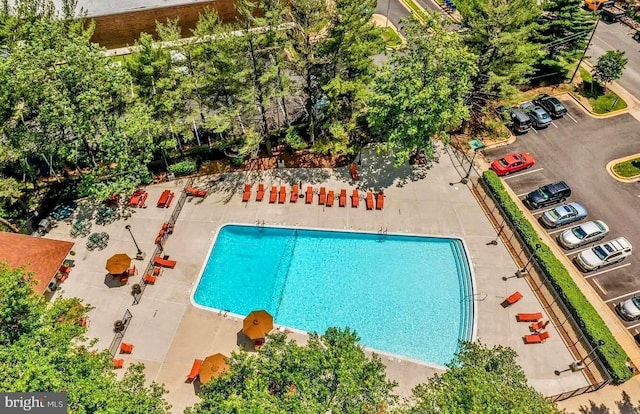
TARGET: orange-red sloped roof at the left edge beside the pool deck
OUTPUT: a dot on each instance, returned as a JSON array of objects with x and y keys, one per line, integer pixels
[{"x": 41, "y": 256}]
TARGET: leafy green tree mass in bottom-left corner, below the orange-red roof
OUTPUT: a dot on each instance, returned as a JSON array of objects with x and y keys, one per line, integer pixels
[{"x": 43, "y": 349}]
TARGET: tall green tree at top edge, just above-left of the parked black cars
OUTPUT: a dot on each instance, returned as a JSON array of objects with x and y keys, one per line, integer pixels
[{"x": 504, "y": 35}]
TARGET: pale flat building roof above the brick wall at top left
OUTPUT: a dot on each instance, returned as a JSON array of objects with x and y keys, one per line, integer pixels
[{"x": 107, "y": 7}]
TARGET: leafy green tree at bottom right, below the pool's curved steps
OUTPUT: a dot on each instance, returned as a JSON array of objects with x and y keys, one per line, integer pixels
[{"x": 480, "y": 380}]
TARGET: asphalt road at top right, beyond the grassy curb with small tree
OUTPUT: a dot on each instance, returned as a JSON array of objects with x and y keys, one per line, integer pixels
[{"x": 618, "y": 36}]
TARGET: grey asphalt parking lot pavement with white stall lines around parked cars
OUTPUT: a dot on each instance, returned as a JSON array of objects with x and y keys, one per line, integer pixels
[{"x": 576, "y": 149}]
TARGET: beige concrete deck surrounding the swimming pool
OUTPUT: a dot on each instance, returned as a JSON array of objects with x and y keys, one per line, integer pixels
[{"x": 168, "y": 332}]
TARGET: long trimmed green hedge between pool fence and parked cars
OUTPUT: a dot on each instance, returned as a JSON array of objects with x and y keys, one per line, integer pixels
[{"x": 594, "y": 328}]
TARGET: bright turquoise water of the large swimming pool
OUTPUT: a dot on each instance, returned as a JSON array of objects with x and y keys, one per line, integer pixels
[{"x": 404, "y": 295}]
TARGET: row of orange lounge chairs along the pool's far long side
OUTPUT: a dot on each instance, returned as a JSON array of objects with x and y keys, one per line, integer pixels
[{"x": 325, "y": 197}]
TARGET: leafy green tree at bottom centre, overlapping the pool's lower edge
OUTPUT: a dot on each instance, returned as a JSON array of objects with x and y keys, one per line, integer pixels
[{"x": 330, "y": 373}]
